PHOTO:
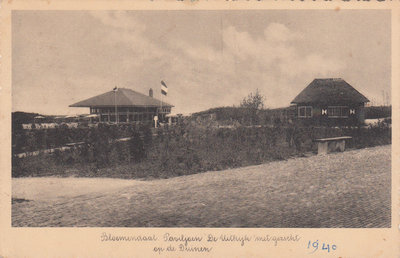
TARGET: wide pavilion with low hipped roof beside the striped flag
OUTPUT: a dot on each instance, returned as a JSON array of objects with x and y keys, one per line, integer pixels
[{"x": 126, "y": 105}]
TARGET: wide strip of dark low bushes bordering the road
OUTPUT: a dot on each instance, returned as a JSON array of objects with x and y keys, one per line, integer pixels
[{"x": 187, "y": 148}]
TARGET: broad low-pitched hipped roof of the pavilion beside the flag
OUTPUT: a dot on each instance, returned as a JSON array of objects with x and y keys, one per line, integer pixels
[{"x": 125, "y": 97}]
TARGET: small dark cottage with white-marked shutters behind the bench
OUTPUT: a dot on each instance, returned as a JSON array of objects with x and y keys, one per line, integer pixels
[{"x": 330, "y": 102}]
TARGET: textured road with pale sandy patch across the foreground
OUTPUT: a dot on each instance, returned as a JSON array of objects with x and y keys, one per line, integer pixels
[{"x": 350, "y": 189}]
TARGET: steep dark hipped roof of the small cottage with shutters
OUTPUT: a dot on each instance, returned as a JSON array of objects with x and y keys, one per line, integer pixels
[{"x": 331, "y": 91}]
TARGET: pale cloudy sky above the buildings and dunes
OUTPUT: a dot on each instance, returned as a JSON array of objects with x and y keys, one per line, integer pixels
[{"x": 207, "y": 58}]
